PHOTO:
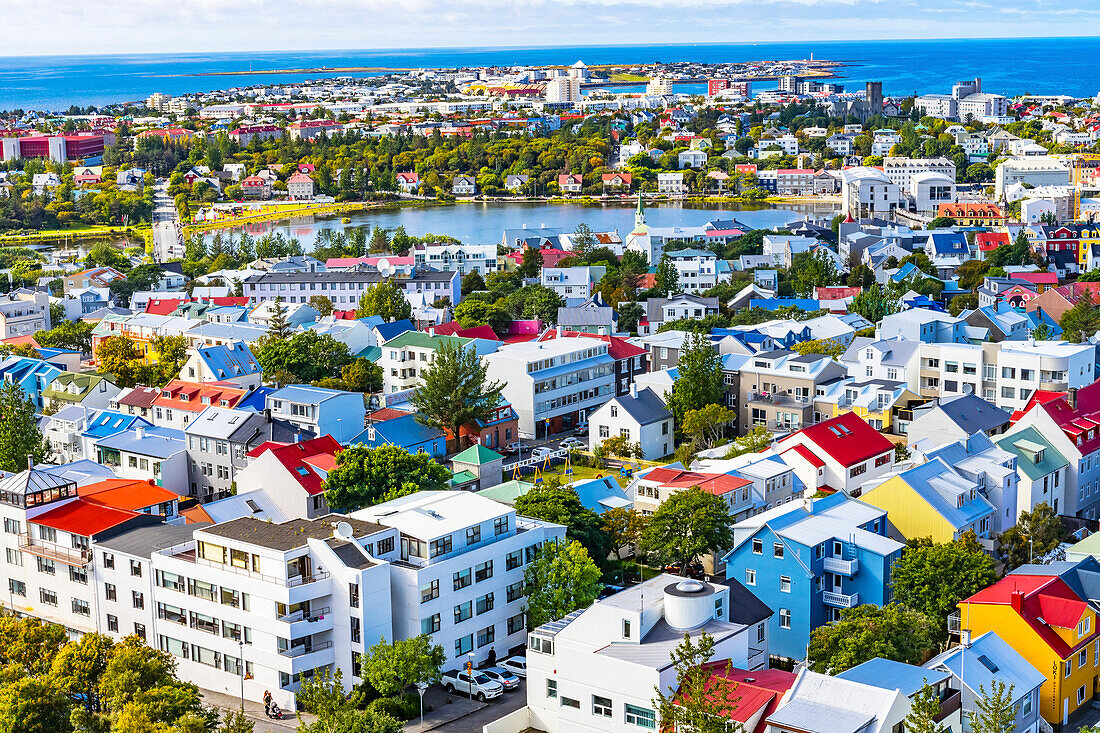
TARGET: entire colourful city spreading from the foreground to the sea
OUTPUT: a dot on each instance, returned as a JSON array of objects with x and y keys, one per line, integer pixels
[{"x": 834, "y": 475}]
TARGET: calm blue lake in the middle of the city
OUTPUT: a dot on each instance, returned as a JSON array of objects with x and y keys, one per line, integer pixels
[{"x": 486, "y": 222}]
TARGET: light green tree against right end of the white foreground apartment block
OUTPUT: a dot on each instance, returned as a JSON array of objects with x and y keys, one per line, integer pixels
[{"x": 559, "y": 581}]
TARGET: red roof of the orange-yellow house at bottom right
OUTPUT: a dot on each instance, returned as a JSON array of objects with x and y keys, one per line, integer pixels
[{"x": 1046, "y": 603}]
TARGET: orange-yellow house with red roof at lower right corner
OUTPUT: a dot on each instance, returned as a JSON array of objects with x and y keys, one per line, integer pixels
[{"x": 1052, "y": 628}]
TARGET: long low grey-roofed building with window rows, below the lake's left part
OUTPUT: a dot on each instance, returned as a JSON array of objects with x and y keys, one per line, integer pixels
[{"x": 346, "y": 289}]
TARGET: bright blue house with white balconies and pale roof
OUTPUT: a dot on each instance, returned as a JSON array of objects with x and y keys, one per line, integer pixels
[{"x": 809, "y": 560}]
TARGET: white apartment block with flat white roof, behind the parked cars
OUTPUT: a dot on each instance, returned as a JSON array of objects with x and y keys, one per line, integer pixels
[{"x": 459, "y": 576}]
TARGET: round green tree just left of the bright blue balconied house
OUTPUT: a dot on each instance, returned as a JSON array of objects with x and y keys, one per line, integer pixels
[{"x": 688, "y": 524}]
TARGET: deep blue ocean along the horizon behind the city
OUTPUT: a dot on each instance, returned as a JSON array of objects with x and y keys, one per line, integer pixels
[{"x": 1008, "y": 67}]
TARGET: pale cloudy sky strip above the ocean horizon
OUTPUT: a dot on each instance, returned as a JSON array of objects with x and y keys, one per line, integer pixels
[{"x": 63, "y": 27}]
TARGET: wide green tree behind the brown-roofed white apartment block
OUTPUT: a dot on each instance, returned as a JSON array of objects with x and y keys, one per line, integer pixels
[{"x": 365, "y": 477}]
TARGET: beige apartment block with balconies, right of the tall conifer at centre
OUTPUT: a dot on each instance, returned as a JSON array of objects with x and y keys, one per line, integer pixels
[{"x": 777, "y": 390}]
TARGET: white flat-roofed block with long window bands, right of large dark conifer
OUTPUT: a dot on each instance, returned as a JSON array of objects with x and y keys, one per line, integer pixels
[{"x": 554, "y": 386}]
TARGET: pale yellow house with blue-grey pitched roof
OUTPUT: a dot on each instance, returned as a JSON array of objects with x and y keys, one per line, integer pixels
[{"x": 932, "y": 500}]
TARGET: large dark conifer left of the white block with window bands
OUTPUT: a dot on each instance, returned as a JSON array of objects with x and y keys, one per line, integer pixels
[{"x": 456, "y": 391}]
